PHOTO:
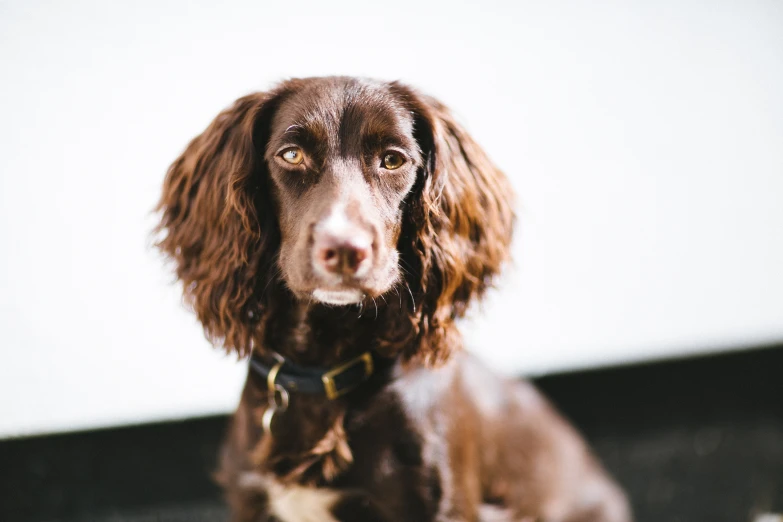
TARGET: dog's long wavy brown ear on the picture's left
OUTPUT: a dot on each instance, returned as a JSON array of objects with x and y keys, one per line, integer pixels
[{"x": 218, "y": 224}]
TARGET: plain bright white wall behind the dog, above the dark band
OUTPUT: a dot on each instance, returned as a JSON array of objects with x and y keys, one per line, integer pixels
[{"x": 645, "y": 140}]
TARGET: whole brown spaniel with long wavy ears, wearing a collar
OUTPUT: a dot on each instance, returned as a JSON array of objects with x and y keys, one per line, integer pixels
[{"x": 335, "y": 229}]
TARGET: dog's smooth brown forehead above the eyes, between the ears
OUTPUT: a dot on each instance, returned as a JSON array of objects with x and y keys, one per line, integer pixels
[{"x": 328, "y": 108}]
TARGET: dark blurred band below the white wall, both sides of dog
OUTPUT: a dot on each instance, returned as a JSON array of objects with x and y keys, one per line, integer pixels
[{"x": 691, "y": 441}]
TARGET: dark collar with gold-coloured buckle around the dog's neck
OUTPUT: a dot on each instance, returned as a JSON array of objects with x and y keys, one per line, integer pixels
[{"x": 331, "y": 382}]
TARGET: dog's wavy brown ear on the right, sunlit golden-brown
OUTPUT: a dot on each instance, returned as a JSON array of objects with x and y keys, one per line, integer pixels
[{"x": 459, "y": 224}]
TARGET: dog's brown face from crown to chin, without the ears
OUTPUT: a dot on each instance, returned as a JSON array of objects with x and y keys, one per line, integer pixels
[{"x": 342, "y": 157}]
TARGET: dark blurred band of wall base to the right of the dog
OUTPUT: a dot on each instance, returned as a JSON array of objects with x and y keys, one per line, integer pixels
[{"x": 693, "y": 440}]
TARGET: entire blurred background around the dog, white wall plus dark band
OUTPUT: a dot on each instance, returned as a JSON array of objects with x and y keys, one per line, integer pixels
[{"x": 644, "y": 139}]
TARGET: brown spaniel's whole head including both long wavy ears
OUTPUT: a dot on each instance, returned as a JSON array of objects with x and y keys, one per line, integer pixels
[{"x": 336, "y": 191}]
